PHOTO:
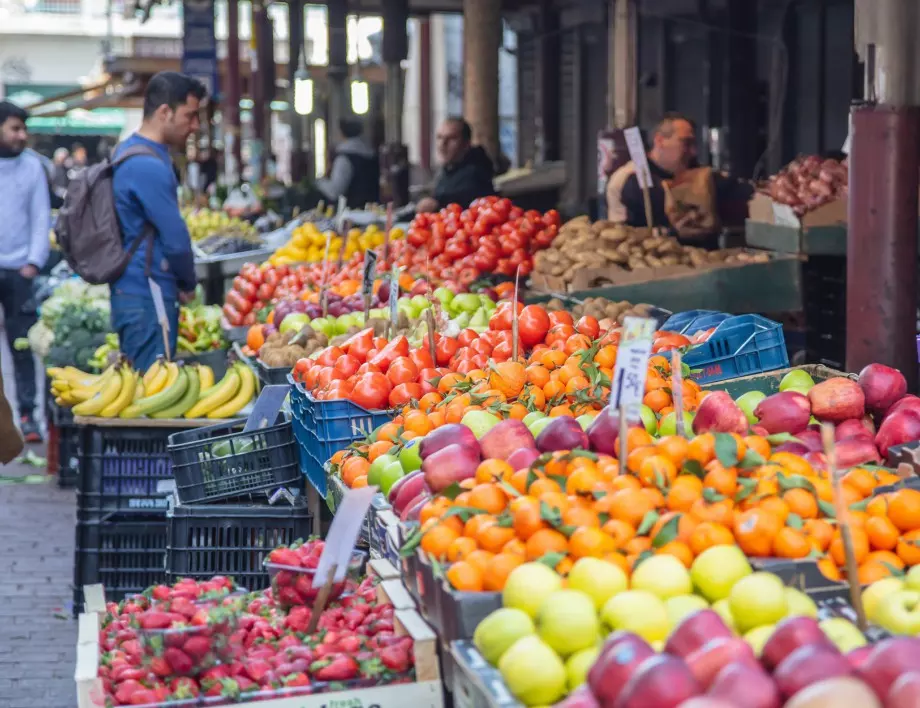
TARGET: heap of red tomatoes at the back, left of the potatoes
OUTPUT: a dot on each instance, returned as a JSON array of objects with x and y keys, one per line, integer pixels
[{"x": 492, "y": 236}]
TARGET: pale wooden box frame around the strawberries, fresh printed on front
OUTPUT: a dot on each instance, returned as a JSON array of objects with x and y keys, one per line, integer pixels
[{"x": 425, "y": 692}]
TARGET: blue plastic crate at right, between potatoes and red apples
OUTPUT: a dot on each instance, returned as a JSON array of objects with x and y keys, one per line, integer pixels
[{"x": 740, "y": 346}]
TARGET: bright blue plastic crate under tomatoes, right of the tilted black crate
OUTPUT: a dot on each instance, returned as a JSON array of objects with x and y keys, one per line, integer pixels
[{"x": 322, "y": 428}]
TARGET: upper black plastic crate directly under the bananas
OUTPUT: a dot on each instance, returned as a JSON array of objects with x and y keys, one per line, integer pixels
[{"x": 121, "y": 469}]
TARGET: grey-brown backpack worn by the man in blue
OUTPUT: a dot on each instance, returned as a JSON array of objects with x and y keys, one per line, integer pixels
[{"x": 87, "y": 227}]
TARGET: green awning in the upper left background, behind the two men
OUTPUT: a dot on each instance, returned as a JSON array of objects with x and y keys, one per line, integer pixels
[{"x": 83, "y": 116}]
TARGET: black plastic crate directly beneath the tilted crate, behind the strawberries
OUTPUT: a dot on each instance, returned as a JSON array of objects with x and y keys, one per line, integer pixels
[{"x": 232, "y": 540}]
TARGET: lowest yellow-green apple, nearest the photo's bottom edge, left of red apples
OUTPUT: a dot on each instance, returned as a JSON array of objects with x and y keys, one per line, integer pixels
[{"x": 533, "y": 672}]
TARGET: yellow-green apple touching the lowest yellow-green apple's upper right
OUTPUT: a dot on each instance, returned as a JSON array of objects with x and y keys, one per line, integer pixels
[{"x": 567, "y": 622}]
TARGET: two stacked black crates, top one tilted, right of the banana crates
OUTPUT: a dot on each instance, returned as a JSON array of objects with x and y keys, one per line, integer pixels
[{"x": 221, "y": 520}]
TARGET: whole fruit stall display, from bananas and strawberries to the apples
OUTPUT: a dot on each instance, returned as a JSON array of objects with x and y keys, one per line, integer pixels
[{"x": 410, "y": 487}]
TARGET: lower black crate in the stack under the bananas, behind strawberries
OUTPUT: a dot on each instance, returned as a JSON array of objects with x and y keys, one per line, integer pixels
[{"x": 124, "y": 552}]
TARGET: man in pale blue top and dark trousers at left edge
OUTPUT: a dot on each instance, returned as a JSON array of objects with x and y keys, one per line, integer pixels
[{"x": 25, "y": 226}]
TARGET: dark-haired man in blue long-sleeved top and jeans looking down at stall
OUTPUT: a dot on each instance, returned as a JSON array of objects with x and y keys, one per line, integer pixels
[{"x": 145, "y": 189}]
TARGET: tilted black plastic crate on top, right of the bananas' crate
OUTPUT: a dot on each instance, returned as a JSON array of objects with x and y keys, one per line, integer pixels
[{"x": 222, "y": 462}]
